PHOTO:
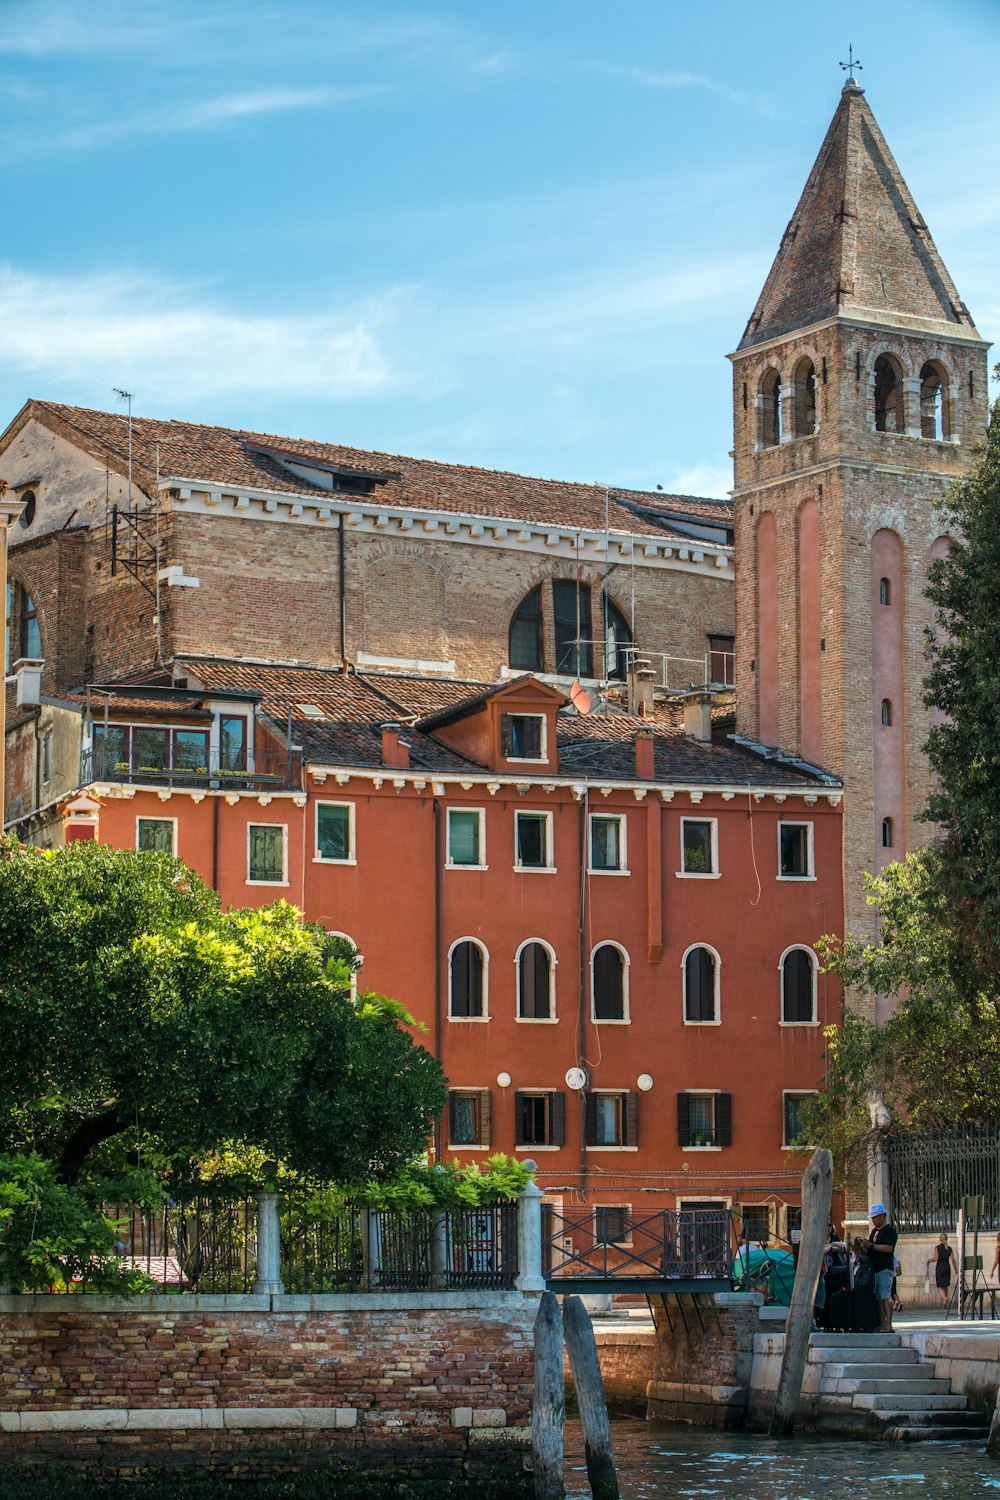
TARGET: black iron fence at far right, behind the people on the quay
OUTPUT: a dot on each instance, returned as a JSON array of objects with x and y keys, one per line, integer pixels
[{"x": 932, "y": 1174}]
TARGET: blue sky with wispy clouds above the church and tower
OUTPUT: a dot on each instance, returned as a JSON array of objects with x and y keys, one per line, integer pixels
[{"x": 522, "y": 235}]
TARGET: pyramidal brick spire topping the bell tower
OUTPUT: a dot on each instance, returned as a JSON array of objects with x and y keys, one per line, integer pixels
[{"x": 857, "y": 244}]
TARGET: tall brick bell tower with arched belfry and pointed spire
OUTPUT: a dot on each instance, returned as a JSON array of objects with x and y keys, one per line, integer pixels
[{"x": 860, "y": 391}]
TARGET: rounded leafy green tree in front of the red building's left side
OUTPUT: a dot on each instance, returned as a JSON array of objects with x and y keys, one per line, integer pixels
[{"x": 134, "y": 1009}]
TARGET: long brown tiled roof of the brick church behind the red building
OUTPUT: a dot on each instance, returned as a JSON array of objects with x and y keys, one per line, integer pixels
[{"x": 187, "y": 451}]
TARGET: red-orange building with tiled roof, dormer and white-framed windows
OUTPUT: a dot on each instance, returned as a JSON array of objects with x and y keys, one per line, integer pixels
[{"x": 560, "y": 899}]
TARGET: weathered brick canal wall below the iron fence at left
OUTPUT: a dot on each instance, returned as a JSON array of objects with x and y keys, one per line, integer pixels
[{"x": 257, "y": 1384}]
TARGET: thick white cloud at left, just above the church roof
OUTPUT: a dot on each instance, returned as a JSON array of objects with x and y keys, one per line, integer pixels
[{"x": 173, "y": 346}]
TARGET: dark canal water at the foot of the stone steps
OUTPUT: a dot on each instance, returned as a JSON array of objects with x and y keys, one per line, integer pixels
[{"x": 665, "y": 1463}]
